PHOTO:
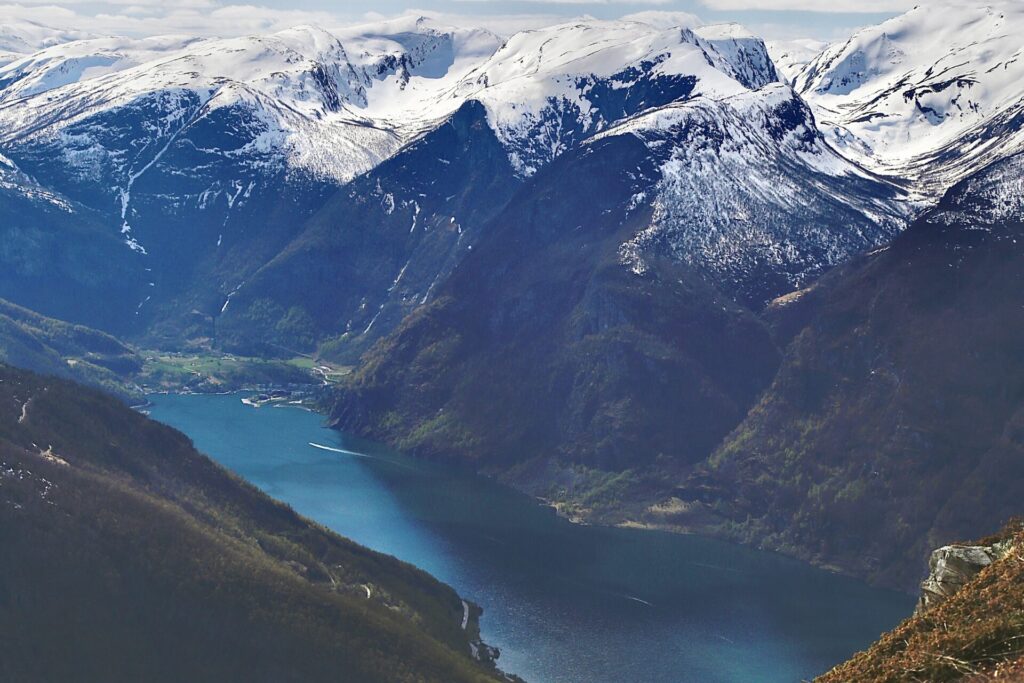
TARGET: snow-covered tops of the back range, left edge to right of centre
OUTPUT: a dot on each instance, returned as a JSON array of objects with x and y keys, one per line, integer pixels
[{"x": 336, "y": 107}]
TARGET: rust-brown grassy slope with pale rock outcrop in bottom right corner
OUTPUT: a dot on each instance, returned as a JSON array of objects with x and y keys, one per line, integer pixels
[{"x": 974, "y": 635}]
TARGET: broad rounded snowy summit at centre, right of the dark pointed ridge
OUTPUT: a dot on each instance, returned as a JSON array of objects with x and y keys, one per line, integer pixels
[{"x": 547, "y": 91}]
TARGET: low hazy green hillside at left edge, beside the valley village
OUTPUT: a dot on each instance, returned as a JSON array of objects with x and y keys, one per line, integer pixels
[{"x": 53, "y": 348}]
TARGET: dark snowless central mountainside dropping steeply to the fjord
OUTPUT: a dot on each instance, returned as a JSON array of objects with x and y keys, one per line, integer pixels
[{"x": 544, "y": 341}]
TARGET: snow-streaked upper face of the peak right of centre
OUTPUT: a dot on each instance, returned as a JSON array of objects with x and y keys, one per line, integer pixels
[{"x": 752, "y": 197}]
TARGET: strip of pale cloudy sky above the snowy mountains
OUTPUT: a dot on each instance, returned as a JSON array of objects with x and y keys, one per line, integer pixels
[{"x": 771, "y": 19}]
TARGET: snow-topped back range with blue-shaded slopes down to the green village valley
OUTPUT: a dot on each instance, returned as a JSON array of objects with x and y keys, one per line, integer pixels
[{"x": 210, "y": 159}]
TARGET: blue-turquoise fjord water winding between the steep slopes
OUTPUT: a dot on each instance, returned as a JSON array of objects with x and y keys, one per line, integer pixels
[{"x": 565, "y": 604}]
